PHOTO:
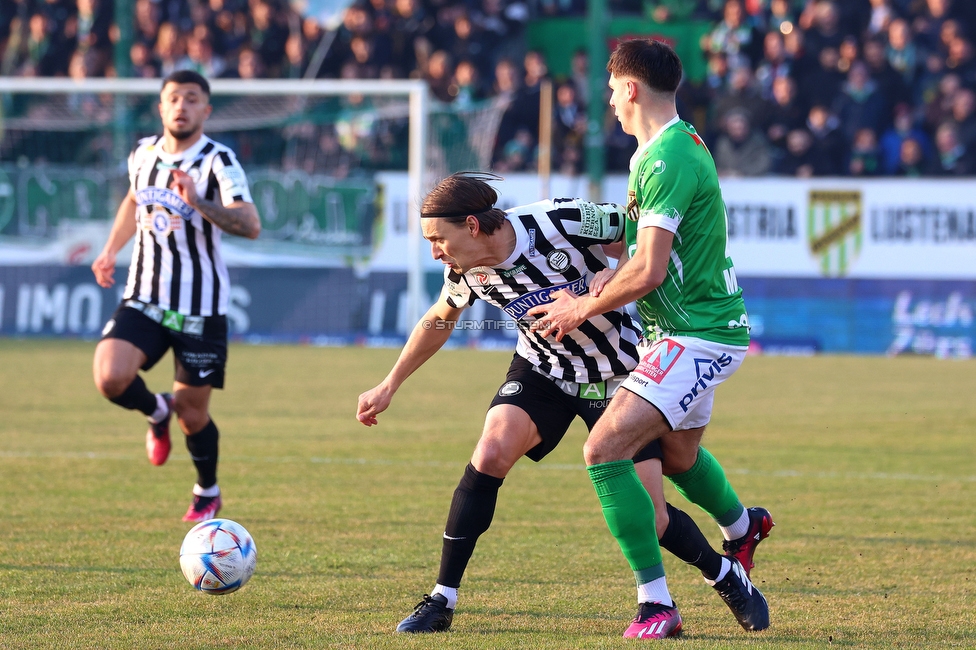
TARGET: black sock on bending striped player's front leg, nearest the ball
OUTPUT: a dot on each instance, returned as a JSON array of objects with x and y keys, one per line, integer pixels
[{"x": 472, "y": 509}]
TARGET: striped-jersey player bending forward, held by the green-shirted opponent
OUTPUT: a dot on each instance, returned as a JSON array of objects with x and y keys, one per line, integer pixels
[{"x": 515, "y": 260}]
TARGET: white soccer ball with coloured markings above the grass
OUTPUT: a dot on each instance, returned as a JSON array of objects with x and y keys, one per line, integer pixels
[{"x": 218, "y": 556}]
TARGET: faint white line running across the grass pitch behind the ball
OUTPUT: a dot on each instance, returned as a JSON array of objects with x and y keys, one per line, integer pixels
[{"x": 558, "y": 467}]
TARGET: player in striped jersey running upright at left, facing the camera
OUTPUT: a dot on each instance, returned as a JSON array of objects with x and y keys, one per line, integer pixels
[{"x": 185, "y": 191}]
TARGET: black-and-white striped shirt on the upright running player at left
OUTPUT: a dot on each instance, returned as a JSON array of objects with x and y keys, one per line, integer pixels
[{"x": 176, "y": 260}]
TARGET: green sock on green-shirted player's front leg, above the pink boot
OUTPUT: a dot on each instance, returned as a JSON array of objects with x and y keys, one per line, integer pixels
[{"x": 629, "y": 512}]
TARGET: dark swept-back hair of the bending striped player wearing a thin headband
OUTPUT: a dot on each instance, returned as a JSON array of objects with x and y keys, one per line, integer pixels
[{"x": 465, "y": 194}]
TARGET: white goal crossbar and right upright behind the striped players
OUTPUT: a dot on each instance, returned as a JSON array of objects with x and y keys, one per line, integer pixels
[{"x": 415, "y": 92}]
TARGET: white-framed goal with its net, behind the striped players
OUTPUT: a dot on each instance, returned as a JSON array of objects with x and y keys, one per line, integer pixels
[{"x": 337, "y": 167}]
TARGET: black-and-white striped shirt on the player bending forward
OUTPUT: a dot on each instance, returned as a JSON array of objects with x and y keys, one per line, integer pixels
[{"x": 558, "y": 246}]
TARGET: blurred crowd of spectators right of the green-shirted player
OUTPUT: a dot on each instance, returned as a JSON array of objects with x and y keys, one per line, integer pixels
[{"x": 830, "y": 88}]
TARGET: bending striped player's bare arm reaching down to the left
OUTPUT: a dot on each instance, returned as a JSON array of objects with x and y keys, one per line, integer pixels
[{"x": 428, "y": 336}]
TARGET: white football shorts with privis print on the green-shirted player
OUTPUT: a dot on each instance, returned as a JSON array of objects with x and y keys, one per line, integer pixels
[{"x": 679, "y": 374}]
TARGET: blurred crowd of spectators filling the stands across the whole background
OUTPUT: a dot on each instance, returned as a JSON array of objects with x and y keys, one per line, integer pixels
[{"x": 793, "y": 87}]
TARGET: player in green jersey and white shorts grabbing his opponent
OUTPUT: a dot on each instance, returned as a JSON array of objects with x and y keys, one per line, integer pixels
[{"x": 681, "y": 275}]
